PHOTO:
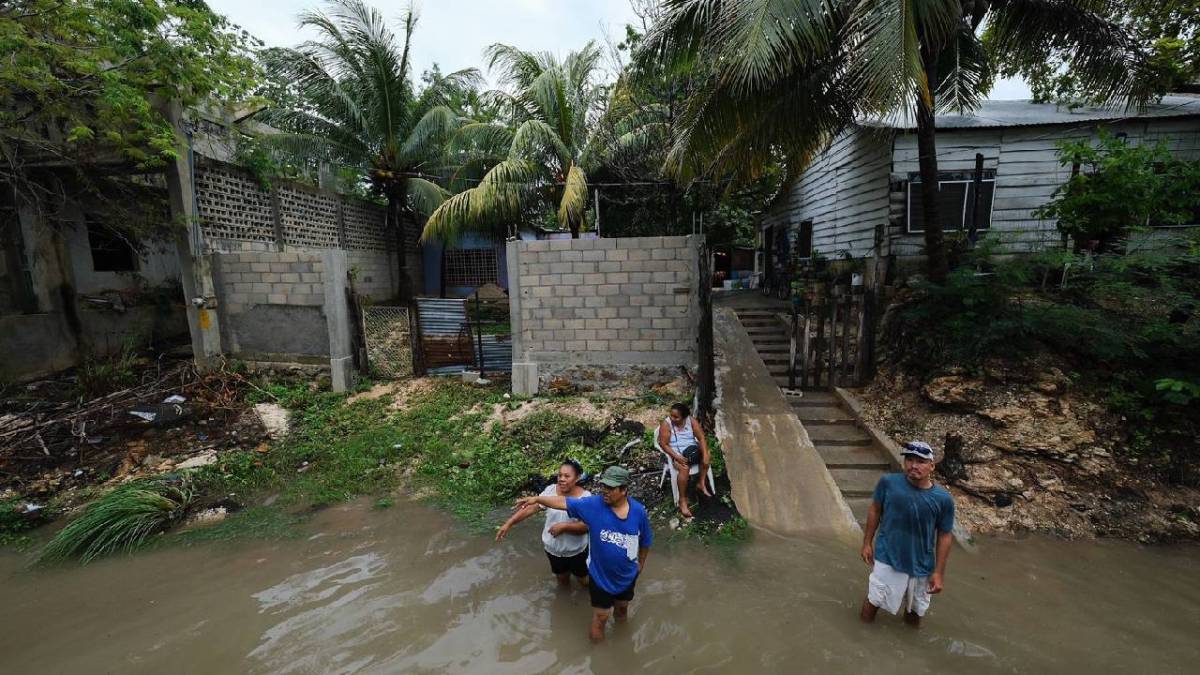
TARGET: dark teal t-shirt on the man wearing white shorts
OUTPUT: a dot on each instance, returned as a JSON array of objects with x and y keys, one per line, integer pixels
[{"x": 913, "y": 518}]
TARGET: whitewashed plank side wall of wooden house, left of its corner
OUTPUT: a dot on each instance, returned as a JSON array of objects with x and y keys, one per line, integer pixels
[{"x": 845, "y": 195}]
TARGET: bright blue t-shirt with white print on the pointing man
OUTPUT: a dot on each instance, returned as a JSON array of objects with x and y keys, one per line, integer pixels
[{"x": 614, "y": 543}]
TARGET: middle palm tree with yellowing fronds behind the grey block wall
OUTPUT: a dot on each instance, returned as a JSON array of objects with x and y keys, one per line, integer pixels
[{"x": 539, "y": 158}]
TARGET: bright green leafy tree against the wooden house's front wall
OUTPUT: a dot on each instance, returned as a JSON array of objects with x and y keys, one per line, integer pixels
[{"x": 1123, "y": 188}]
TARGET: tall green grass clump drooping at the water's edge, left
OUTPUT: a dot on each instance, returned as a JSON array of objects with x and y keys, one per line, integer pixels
[{"x": 122, "y": 521}]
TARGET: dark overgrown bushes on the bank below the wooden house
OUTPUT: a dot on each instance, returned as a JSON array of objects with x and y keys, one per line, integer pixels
[{"x": 1125, "y": 324}]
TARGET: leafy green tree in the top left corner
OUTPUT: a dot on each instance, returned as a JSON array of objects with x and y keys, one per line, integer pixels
[{"x": 82, "y": 89}]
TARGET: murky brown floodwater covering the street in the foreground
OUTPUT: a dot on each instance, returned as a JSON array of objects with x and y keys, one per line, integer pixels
[{"x": 405, "y": 590}]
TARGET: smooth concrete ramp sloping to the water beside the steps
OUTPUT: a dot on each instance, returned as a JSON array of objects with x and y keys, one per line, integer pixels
[{"x": 779, "y": 481}]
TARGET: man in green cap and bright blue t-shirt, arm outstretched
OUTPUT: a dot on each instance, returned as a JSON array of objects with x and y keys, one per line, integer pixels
[{"x": 621, "y": 537}]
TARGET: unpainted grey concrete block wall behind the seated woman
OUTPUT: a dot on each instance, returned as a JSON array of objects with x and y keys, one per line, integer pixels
[{"x": 586, "y": 303}]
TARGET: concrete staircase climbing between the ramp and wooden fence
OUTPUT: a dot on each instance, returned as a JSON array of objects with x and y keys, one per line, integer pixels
[{"x": 850, "y": 455}]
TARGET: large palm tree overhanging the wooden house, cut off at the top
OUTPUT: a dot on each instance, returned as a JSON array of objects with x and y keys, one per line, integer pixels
[{"x": 795, "y": 73}]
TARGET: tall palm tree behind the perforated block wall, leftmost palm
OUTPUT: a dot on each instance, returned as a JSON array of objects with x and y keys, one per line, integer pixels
[{"x": 352, "y": 103}]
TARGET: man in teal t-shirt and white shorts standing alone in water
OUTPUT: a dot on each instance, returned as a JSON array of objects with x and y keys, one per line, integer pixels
[{"x": 909, "y": 557}]
